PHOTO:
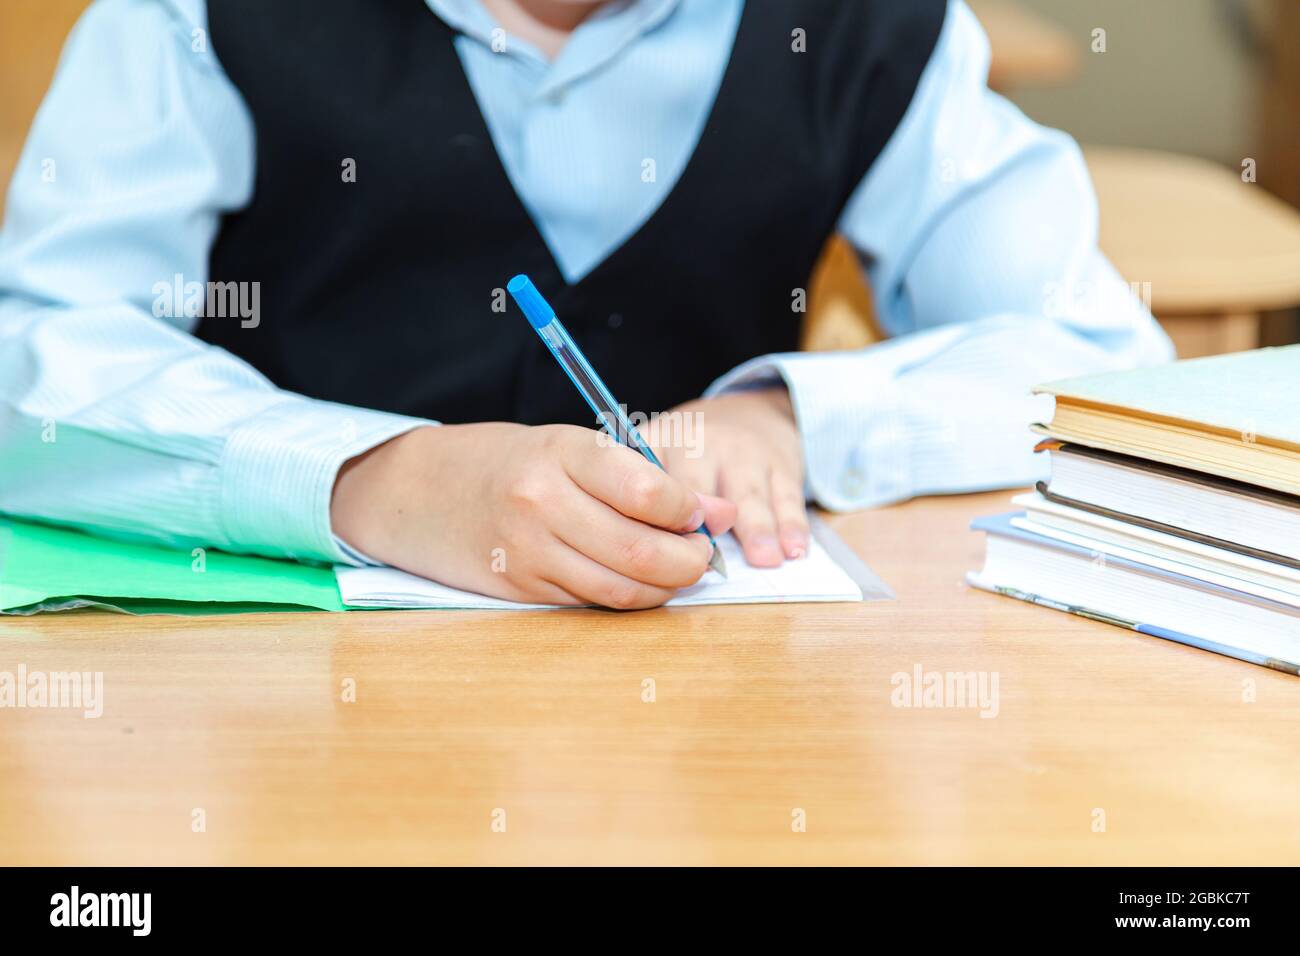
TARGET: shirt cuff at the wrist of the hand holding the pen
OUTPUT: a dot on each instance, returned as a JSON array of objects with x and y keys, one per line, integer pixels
[{"x": 279, "y": 471}]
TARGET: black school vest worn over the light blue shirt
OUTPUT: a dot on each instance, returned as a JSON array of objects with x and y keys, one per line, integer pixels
[{"x": 382, "y": 292}]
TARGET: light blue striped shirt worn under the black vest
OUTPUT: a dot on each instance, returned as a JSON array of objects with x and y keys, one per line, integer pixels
[{"x": 977, "y": 228}]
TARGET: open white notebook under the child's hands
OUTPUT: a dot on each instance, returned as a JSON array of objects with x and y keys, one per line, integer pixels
[{"x": 820, "y": 577}]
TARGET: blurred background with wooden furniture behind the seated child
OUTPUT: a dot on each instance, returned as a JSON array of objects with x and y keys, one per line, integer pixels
[{"x": 1189, "y": 113}]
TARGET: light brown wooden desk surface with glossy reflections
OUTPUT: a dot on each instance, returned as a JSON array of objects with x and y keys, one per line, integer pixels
[{"x": 757, "y": 713}]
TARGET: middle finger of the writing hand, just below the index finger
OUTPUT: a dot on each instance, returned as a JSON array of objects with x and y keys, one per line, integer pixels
[{"x": 635, "y": 551}]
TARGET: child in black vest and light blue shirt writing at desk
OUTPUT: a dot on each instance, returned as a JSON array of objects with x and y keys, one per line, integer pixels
[{"x": 254, "y": 253}]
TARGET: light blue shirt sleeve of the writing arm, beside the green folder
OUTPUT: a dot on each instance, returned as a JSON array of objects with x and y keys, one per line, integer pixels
[{"x": 112, "y": 416}]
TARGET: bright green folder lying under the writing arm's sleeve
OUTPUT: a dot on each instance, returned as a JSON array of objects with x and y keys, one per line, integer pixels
[{"x": 44, "y": 568}]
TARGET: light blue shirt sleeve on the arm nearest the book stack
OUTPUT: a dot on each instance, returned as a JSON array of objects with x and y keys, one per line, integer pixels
[{"x": 978, "y": 231}]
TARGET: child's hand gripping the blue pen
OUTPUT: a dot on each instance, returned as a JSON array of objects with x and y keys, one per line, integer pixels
[{"x": 549, "y": 514}]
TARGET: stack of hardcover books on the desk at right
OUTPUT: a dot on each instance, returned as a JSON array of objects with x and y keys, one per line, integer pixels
[{"x": 1173, "y": 507}]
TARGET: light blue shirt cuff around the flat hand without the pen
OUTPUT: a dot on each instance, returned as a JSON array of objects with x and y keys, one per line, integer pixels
[{"x": 856, "y": 453}]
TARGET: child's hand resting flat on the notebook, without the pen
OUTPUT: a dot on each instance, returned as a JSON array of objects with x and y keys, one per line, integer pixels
[{"x": 743, "y": 447}]
